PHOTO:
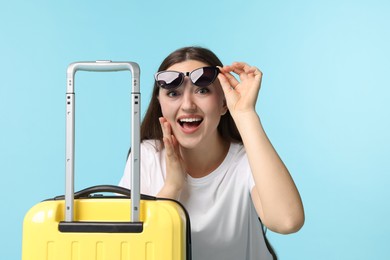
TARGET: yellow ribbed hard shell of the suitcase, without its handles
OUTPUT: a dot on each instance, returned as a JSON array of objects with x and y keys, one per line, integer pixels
[{"x": 163, "y": 235}]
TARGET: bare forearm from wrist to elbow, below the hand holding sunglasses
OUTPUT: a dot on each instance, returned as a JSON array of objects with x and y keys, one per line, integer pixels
[{"x": 279, "y": 200}]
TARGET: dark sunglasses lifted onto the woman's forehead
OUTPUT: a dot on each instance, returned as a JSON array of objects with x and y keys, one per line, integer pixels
[{"x": 201, "y": 77}]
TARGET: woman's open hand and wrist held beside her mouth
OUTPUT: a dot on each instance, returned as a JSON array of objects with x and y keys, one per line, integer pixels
[{"x": 175, "y": 175}]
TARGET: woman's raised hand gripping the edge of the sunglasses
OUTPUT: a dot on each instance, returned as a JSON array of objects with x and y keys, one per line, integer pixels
[{"x": 241, "y": 95}]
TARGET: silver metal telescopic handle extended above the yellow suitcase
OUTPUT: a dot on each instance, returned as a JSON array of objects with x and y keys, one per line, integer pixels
[{"x": 70, "y": 130}]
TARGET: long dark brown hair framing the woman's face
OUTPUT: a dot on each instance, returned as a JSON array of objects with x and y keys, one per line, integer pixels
[{"x": 150, "y": 127}]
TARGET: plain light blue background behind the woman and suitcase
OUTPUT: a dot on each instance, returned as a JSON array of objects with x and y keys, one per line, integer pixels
[{"x": 324, "y": 102}]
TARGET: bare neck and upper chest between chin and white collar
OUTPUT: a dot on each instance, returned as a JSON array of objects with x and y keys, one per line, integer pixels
[{"x": 201, "y": 161}]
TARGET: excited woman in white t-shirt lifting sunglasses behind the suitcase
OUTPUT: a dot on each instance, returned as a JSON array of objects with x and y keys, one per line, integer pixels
[{"x": 203, "y": 144}]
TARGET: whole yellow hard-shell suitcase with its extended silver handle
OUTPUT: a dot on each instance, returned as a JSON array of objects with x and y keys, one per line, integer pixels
[{"x": 81, "y": 226}]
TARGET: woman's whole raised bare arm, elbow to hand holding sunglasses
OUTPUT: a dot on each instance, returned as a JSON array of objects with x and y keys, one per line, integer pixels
[{"x": 274, "y": 195}]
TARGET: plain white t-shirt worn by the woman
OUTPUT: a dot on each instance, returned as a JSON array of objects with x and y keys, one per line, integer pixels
[{"x": 224, "y": 222}]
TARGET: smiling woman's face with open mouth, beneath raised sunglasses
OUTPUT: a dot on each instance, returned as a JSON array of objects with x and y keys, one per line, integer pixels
[{"x": 193, "y": 112}]
